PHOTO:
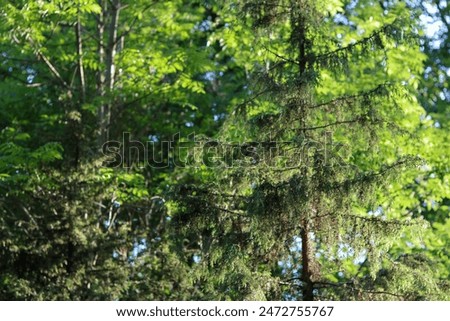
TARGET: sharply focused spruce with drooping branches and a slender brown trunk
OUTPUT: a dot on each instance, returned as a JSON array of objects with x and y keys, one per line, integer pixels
[{"x": 290, "y": 210}]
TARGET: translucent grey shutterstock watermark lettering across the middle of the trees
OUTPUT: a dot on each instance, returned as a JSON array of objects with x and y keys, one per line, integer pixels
[{"x": 197, "y": 151}]
